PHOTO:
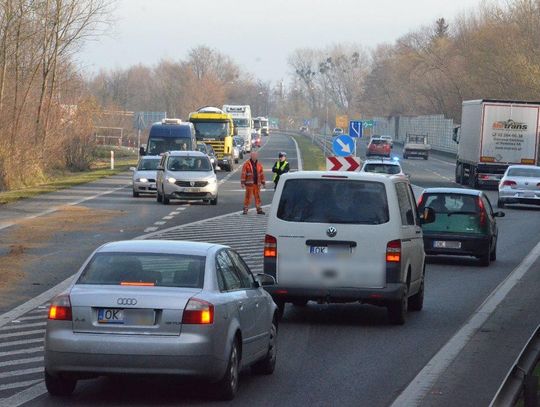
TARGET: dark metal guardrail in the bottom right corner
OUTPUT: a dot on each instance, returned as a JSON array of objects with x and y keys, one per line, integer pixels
[{"x": 520, "y": 380}]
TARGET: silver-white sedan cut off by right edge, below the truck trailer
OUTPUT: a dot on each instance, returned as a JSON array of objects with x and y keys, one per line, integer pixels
[{"x": 520, "y": 184}]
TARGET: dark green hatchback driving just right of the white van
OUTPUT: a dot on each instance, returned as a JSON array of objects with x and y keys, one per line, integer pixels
[{"x": 464, "y": 224}]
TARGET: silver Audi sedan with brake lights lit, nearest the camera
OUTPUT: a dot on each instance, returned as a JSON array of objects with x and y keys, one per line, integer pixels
[{"x": 161, "y": 307}]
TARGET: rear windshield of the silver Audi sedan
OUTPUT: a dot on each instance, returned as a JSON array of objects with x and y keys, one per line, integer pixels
[{"x": 145, "y": 269}]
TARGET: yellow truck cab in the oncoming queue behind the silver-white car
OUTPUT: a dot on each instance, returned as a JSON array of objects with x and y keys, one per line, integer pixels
[{"x": 215, "y": 127}]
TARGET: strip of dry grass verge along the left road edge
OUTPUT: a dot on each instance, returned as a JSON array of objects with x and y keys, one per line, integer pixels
[{"x": 66, "y": 179}]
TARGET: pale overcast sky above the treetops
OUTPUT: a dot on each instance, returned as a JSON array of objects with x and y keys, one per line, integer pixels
[{"x": 258, "y": 34}]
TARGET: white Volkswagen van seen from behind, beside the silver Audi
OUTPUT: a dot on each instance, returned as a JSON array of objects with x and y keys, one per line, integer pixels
[{"x": 346, "y": 237}]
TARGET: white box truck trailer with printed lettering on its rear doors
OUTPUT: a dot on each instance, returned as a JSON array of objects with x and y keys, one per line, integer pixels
[{"x": 493, "y": 135}]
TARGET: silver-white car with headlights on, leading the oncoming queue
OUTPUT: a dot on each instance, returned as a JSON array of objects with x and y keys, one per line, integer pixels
[{"x": 187, "y": 176}]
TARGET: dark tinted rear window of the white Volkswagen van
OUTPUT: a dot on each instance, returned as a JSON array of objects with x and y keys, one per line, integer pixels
[{"x": 333, "y": 201}]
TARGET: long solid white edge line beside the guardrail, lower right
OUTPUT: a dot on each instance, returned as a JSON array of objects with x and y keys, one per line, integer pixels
[{"x": 424, "y": 381}]
